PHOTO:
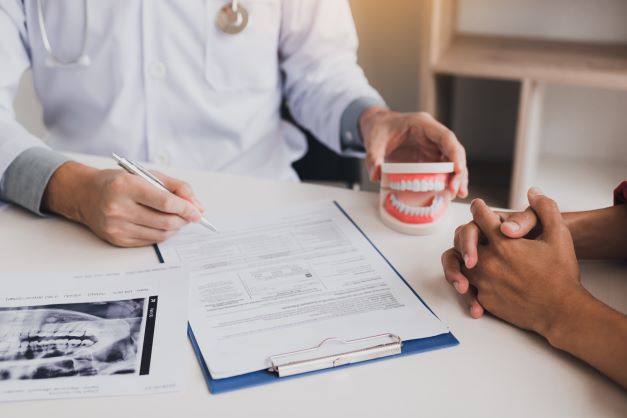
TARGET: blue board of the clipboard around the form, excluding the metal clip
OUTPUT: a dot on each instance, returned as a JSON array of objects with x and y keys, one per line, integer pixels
[{"x": 263, "y": 377}]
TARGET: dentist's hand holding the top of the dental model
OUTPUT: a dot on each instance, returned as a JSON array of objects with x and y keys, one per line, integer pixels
[{"x": 411, "y": 137}]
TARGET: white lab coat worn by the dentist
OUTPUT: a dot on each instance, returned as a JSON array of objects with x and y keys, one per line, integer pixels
[{"x": 166, "y": 86}]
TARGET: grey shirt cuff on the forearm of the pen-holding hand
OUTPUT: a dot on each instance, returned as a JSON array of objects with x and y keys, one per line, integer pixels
[{"x": 26, "y": 179}]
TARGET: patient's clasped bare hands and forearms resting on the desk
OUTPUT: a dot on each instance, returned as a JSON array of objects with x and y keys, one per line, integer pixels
[{"x": 522, "y": 267}]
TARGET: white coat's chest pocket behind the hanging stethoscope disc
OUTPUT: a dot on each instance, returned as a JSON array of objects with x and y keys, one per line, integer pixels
[{"x": 247, "y": 60}]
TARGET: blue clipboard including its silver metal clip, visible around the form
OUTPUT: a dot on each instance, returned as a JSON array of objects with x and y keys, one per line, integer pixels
[{"x": 322, "y": 357}]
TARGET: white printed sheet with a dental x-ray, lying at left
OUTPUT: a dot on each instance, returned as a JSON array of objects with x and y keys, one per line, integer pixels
[{"x": 83, "y": 335}]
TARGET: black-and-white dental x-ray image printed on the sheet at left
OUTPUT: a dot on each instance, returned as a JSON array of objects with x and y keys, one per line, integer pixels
[{"x": 80, "y": 339}]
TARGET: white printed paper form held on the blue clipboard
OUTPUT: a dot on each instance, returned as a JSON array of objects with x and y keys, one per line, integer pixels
[{"x": 287, "y": 281}]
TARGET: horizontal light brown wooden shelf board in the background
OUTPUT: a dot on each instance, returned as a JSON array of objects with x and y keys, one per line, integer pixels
[{"x": 595, "y": 65}]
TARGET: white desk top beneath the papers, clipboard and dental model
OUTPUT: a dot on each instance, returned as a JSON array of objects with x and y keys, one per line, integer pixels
[{"x": 496, "y": 371}]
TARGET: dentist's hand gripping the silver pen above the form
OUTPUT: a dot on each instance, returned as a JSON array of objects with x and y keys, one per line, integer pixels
[{"x": 119, "y": 207}]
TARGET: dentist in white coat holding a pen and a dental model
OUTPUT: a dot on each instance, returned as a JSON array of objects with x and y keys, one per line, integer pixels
[{"x": 194, "y": 83}]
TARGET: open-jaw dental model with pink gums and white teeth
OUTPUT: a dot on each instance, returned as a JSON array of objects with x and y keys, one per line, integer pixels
[{"x": 413, "y": 198}]
